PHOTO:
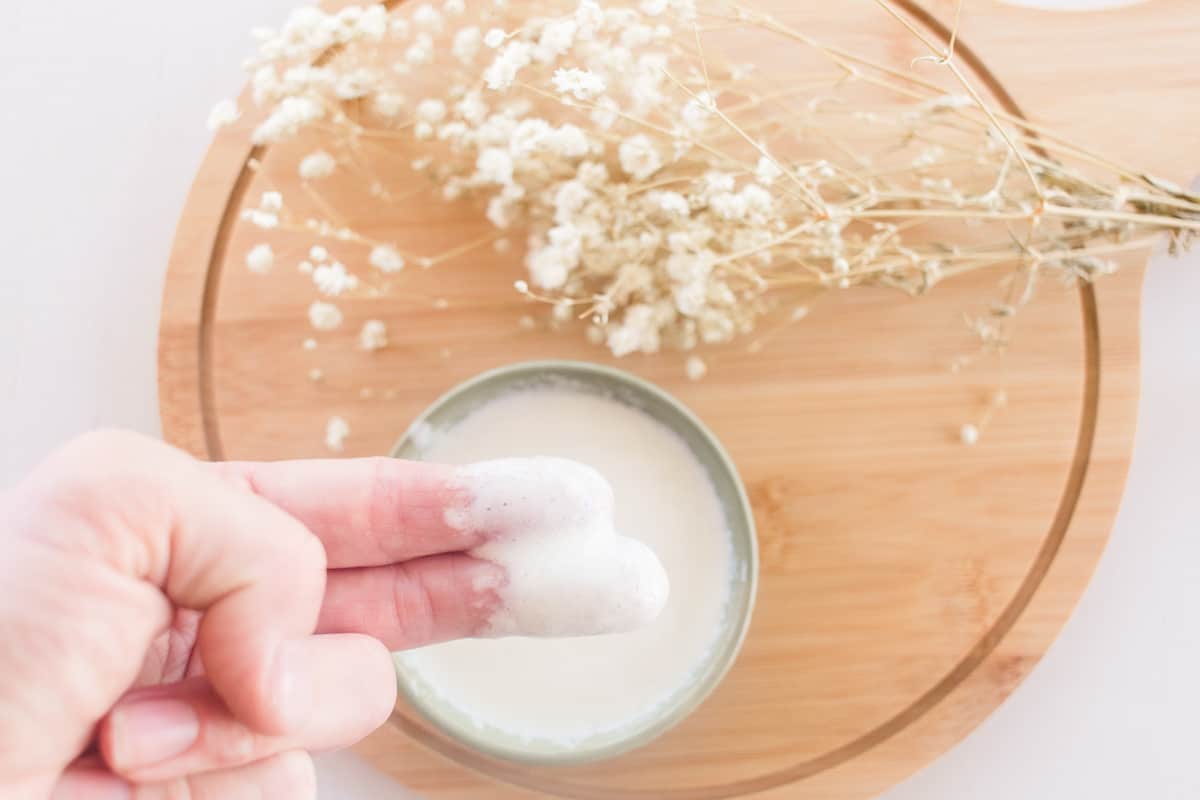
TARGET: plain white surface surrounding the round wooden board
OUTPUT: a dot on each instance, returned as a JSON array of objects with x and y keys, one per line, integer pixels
[{"x": 104, "y": 110}]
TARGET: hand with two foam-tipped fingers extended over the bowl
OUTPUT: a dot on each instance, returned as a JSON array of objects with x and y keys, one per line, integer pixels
[{"x": 181, "y": 629}]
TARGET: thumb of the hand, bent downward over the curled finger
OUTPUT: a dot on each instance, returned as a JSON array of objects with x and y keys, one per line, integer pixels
[{"x": 154, "y": 515}]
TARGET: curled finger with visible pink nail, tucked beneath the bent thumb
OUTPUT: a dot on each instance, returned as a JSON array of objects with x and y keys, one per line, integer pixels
[{"x": 169, "y": 732}]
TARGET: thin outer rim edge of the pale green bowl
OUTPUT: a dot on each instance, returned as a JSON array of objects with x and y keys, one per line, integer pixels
[{"x": 719, "y": 664}]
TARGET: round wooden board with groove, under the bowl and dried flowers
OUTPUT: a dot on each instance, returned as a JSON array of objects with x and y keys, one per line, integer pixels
[{"x": 909, "y": 584}]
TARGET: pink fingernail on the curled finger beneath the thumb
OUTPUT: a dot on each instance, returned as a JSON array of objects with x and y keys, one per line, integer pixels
[{"x": 151, "y": 731}]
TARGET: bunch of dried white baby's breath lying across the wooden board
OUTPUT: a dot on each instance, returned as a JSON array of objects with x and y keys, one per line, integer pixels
[{"x": 673, "y": 200}]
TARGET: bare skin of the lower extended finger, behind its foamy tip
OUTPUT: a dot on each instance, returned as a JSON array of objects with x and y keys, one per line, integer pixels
[{"x": 411, "y": 605}]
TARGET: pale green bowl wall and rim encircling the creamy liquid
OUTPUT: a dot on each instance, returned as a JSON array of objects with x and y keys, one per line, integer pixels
[{"x": 460, "y": 402}]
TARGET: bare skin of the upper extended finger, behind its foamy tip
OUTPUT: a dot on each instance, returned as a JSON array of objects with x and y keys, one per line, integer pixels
[{"x": 367, "y": 512}]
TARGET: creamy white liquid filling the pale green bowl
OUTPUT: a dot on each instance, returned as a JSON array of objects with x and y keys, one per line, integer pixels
[{"x": 567, "y": 690}]
